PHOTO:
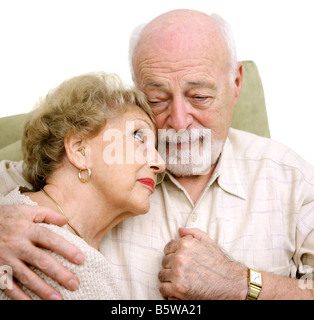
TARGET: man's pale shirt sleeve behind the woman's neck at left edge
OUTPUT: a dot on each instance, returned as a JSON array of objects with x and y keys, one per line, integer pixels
[{"x": 11, "y": 176}]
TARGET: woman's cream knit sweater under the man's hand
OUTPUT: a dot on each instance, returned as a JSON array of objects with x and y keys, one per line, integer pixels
[{"x": 95, "y": 276}]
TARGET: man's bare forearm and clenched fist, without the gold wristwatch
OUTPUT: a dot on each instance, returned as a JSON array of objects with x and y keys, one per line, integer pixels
[{"x": 194, "y": 267}]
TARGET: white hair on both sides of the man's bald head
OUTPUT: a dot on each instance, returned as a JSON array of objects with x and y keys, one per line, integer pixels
[{"x": 224, "y": 27}]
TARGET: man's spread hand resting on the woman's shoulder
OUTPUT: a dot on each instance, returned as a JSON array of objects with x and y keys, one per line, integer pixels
[{"x": 20, "y": 239}]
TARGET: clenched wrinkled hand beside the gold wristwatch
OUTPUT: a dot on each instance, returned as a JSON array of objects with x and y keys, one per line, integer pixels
[{"x": 195, "y": 268}]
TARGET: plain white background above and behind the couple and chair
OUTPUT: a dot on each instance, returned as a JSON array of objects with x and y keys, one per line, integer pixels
[{"x": 43, "y": 42}]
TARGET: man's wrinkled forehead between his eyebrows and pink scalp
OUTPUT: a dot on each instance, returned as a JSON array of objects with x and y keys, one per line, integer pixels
[{"x": 193, "y": 65}]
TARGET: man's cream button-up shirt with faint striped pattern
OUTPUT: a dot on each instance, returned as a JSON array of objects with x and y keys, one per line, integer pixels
[{"x": 258, "y": 206}]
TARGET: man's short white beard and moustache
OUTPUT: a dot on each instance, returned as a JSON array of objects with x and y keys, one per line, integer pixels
[{"x": 195, "y": 159}]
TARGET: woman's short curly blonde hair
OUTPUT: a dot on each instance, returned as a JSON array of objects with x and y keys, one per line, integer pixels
[{"x": 80, "y": 105}]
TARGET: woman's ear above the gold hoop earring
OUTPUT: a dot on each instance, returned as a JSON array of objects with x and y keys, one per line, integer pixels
[{"x": 75, "y": 149}]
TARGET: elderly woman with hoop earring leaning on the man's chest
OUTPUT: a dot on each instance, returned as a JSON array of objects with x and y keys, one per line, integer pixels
[{"x": 89, "y": 154}]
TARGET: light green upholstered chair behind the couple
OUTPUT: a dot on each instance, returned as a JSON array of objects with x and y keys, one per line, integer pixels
[{"x": 249, "y": 115}]
